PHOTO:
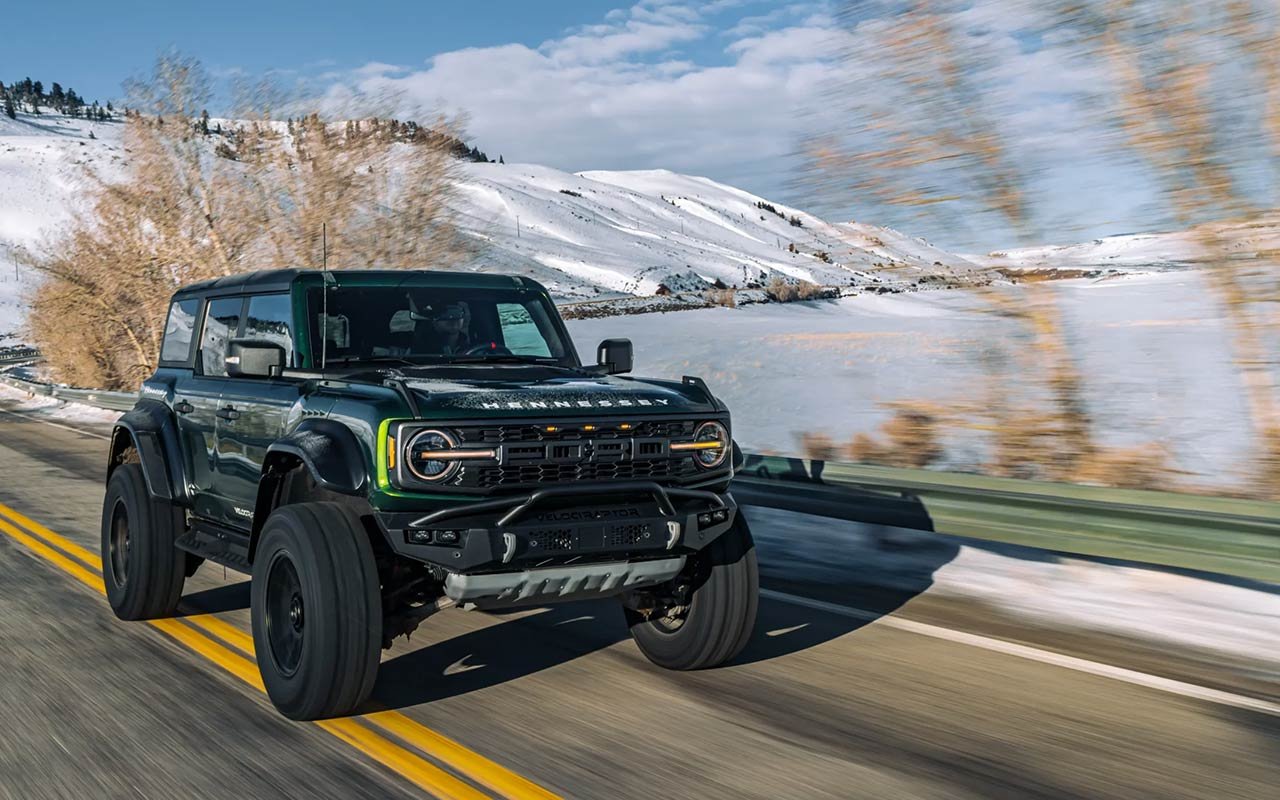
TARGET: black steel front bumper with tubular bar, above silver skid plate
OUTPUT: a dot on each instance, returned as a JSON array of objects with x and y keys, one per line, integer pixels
[{"x": 561, "y": 527}]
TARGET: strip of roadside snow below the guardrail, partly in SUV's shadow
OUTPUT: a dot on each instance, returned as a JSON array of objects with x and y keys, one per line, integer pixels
[{"x": 1037, "y": 586}]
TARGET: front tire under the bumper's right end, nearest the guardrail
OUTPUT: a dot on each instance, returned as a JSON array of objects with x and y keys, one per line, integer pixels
[{"x": 723, "y": 607}]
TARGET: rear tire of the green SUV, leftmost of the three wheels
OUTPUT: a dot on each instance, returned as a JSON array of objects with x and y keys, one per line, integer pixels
[{"x": 143, "y": 570}]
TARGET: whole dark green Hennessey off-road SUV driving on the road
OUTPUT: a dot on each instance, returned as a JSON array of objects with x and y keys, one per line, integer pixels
[{"x": 374, "y": 447}]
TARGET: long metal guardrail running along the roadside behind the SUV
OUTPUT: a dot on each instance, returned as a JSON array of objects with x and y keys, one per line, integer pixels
[{"x": 1210, "y": 534}]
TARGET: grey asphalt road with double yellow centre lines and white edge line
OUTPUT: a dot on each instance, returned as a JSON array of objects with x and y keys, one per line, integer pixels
[{"x": 927, "y": 702}]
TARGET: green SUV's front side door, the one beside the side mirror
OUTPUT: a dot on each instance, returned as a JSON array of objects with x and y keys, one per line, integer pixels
[{"x": 254, "y": 412}]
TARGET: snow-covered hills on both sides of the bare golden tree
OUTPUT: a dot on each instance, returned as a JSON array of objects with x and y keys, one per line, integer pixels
[{"x": 593, "y": 235}]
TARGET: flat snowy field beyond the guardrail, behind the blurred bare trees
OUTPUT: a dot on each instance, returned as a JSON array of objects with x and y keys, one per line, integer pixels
[{"x": 1153, "y": 349}]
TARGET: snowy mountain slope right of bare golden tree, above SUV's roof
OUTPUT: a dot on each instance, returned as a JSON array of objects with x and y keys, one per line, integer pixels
[{"x": 601, "y": 234}]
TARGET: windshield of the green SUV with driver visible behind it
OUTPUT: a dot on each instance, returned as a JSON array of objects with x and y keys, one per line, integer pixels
[{"x": 431, "y": 324}]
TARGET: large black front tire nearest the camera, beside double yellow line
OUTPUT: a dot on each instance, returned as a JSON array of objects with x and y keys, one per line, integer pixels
[{"x": 327, "y": 666}]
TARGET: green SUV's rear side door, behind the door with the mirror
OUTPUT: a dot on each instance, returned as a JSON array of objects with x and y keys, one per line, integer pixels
[{"x": 196, "y": 403}]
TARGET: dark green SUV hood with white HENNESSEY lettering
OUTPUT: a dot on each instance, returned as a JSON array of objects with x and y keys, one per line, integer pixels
[{"x": 559, "y": 396}]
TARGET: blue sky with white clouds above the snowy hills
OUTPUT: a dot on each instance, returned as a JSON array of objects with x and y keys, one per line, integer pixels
[{"x": 724, "y": 89}]
